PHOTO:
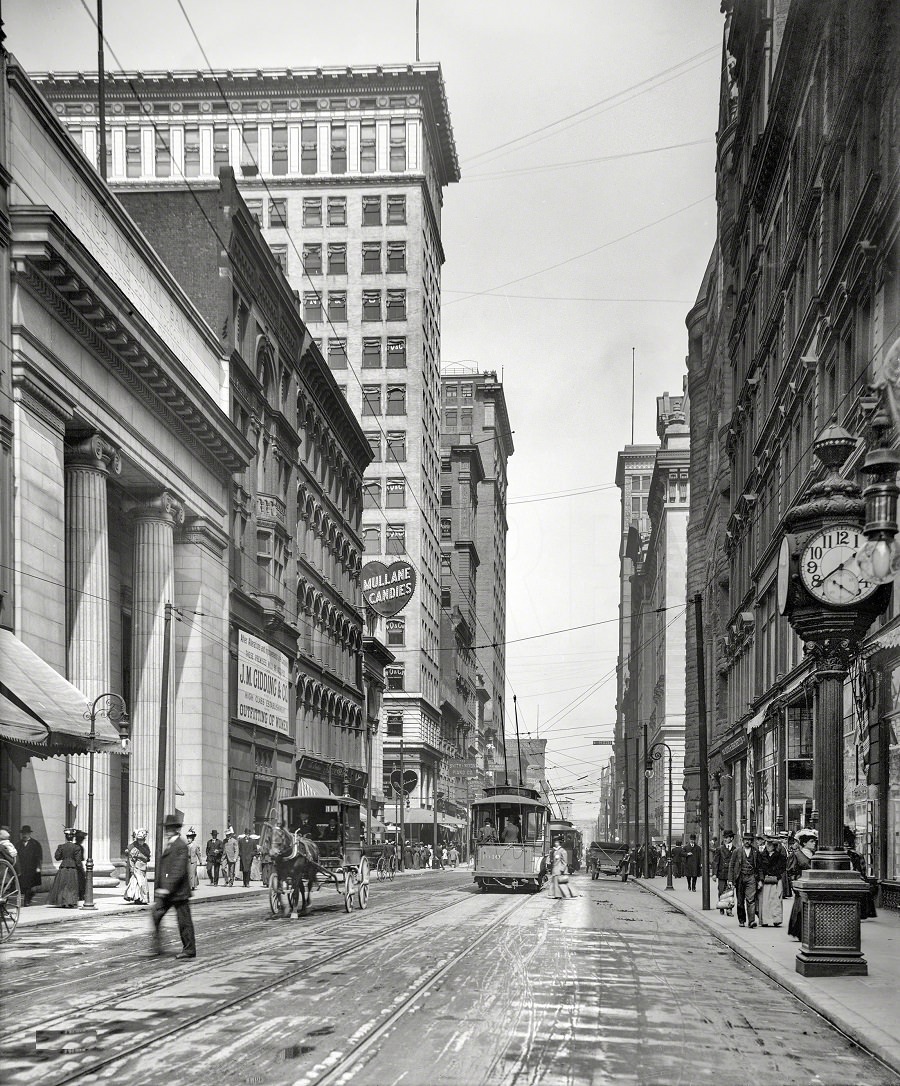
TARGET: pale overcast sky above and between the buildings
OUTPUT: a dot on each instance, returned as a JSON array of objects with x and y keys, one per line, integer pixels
[{"x": 576, "y": 244}]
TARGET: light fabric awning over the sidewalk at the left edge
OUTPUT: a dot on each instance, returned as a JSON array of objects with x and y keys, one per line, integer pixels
[{"x": 42, "y": 711}]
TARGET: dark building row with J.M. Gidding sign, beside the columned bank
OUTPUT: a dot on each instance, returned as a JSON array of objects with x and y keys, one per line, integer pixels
[{"x": 296, "y": 511}]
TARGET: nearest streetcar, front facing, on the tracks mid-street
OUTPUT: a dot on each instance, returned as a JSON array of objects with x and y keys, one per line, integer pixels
[{"x": 511, "y": 839}]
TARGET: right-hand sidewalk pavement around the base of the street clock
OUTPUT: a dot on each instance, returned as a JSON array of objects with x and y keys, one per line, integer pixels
[{"x": 863, "y": 1007}]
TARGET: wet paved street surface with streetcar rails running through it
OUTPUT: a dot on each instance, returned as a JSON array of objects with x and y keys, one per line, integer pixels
[{"x": 435, "y": 984}]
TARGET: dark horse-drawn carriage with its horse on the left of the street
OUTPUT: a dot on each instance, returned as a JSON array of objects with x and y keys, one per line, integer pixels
[{"x": 315, "y": 843}]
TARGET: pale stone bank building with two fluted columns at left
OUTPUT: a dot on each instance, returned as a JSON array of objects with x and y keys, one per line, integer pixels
[{"x": 123, "y": 457}]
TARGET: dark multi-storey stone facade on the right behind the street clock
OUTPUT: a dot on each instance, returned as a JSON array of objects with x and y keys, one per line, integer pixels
[{"x": 798, "y": 315}]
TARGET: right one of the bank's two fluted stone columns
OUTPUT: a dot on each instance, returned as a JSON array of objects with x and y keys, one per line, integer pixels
[{"x": 154, "y": 588}]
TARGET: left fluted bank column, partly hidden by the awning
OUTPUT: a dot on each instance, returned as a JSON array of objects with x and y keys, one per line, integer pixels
[{"x": 88, "y": 464}]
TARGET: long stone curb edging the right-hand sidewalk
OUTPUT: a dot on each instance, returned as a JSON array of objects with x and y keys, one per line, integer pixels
[{"x": 863, "y": 1033}]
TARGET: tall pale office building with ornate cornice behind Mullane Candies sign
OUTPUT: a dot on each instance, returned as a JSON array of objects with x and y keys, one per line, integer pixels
[{"x": 345, "y": 170}]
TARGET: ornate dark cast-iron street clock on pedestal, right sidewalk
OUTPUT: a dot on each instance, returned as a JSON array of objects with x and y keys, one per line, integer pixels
[{"x": 831, "y": 890}]
